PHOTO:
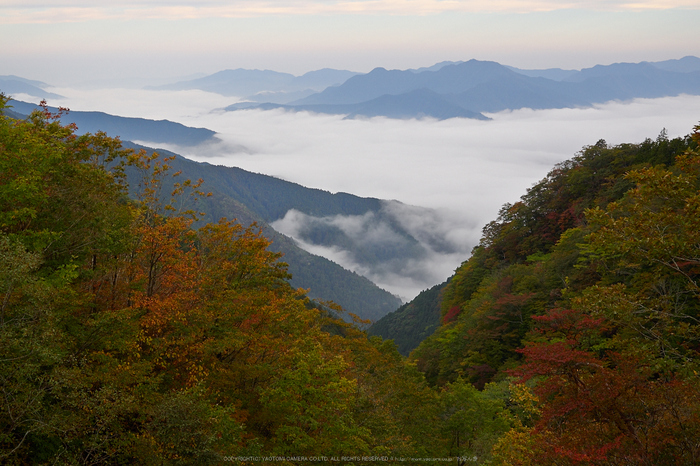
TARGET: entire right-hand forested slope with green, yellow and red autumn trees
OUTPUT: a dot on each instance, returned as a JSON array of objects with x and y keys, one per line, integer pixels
[{"x": 587, "y": 289}]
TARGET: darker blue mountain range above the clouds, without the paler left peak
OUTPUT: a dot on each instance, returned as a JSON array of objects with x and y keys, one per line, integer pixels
[{"x": 479, "y": 87}]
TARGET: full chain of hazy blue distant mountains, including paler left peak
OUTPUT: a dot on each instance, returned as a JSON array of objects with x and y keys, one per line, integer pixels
[{"x": 451, "y": 89}]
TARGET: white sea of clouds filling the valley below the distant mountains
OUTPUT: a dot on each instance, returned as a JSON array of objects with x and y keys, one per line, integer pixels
[{"x": 457, "y": 173}]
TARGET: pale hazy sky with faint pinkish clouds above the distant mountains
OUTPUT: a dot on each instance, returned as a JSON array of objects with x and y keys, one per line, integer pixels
[{"x": 79, "y": 41}]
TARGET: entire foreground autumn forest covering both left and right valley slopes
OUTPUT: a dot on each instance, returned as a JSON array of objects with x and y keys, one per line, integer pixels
[{"x": 130, "y": 335}]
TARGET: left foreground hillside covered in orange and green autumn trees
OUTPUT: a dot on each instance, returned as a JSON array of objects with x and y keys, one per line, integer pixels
[{"x": 128, "y": 336}]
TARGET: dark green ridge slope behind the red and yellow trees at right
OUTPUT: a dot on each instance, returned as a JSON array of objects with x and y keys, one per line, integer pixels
[{"x": 523, "y": 264}]
